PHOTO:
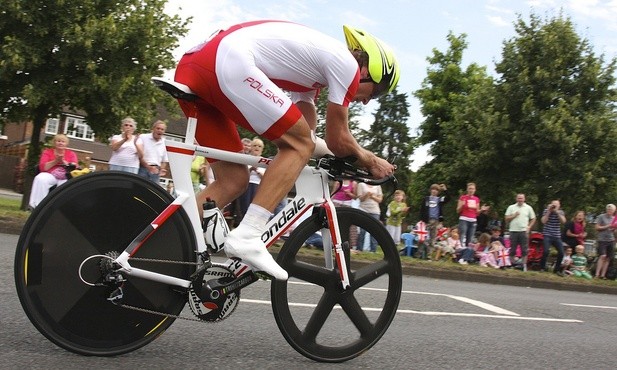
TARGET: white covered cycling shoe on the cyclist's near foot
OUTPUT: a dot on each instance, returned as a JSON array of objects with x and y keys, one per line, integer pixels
[{"x": 252, "y": 251}]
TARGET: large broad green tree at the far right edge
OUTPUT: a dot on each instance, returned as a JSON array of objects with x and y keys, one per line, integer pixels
[{"x": 557, "y": 101}]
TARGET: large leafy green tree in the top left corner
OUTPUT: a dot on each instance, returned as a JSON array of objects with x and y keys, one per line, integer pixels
[{"x": 94, "y": 56}]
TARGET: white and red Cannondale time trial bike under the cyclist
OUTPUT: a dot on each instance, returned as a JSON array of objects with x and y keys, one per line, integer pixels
[{"x": 108, "y": 261}]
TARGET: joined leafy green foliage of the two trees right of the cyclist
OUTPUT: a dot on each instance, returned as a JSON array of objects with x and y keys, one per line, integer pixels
[{"x": 545, "y": 126}]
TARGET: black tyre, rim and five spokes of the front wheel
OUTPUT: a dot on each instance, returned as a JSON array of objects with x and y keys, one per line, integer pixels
[{"x": 302, "y": 331}]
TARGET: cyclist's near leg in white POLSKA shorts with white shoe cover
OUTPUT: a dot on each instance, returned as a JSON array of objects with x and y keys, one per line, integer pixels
[{"x": 276, "y": 118}]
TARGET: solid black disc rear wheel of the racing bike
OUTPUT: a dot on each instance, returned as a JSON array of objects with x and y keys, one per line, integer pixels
[{"x": 95, "y": 214}]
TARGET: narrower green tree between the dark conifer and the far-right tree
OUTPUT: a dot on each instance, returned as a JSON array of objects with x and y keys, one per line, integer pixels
[{"x": 455, "y": 102}]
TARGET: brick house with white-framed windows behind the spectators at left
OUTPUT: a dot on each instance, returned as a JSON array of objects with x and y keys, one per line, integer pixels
[{"x": 92, "y": 153}]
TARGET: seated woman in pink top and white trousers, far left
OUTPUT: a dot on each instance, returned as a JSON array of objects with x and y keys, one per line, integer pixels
[{"x": 52, "y": 166}]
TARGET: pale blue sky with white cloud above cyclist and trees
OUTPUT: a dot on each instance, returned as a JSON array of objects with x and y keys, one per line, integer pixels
[{"x": 411, "y": 27}]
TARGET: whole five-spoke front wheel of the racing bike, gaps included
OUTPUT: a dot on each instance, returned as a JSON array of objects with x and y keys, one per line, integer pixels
[{"x": 319, "y": 318}]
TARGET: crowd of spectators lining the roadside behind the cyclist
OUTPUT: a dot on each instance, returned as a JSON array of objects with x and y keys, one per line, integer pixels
[{"x": 480, "y": 235}]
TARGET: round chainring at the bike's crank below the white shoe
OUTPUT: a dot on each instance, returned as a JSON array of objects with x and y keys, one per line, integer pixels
[{"x": 204, "y": 307}]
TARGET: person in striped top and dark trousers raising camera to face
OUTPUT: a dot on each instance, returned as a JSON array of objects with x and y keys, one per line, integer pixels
[{"x": 552, "y": 218}]
